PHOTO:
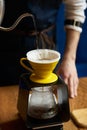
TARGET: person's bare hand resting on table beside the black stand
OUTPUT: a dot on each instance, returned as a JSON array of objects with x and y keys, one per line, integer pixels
[{"x": 67, "y": 71}]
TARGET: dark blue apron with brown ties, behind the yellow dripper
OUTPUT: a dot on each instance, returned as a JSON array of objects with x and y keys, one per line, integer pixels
[{"x": 45, "y": 12}]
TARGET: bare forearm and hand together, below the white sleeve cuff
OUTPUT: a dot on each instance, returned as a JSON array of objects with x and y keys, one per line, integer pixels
[{"x": 67, "y": 69}]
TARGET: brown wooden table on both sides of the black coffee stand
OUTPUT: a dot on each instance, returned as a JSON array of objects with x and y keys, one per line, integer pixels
[{"x": 10, "y": 119}]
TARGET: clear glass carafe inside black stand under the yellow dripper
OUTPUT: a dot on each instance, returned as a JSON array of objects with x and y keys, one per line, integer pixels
[{"x": 42, "y": 103}]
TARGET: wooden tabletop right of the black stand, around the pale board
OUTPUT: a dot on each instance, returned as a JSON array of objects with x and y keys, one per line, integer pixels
[{"x": 77, "y": 103}]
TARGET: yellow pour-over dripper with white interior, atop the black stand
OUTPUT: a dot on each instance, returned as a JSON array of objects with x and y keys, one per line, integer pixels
[{"x": 43, "y": 62}]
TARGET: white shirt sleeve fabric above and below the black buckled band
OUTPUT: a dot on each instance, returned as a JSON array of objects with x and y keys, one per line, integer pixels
[{"x": 75, "y": 10}]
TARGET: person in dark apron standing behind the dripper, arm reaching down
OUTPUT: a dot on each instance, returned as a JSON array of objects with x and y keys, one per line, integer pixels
[{"x": 45, "y": 13}]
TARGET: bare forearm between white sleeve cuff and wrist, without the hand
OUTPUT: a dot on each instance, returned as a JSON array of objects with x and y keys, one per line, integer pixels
[{"x": 72, "y": 40}]
